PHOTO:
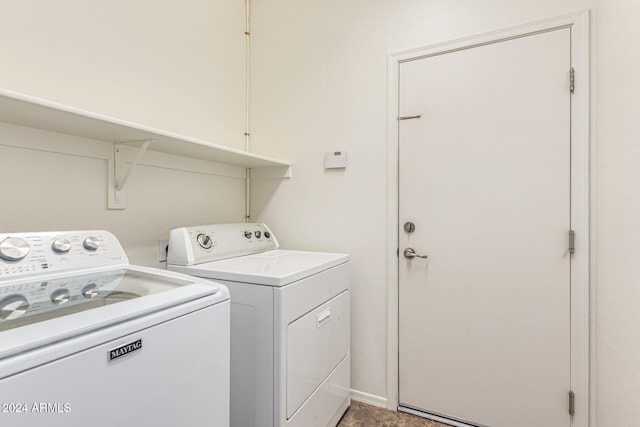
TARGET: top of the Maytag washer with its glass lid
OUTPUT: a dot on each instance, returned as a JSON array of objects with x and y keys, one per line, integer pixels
[{"x": 54, "y": 308}]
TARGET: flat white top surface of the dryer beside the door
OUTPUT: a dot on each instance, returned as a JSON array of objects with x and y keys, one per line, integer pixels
[{"x": 272, "y": 268}]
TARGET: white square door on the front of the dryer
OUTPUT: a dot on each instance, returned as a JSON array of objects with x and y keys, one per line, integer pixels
[{"x": 316, "y": 344}]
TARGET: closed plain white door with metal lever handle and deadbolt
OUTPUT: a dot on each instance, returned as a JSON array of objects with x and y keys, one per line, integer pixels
[{"x": 484, "y": 175}]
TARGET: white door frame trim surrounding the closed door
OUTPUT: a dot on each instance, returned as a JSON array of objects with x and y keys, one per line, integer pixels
[{"x": 580, "y": 200}]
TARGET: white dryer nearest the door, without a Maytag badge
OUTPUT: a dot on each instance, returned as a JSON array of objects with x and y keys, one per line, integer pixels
[{"x": 290, "y": 351}]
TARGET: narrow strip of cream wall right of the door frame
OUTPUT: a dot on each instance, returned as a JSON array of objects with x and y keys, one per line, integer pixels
[{"x": 617, "y": 313}]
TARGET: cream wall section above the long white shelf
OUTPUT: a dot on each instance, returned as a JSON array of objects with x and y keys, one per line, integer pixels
[{"x": 174, "y": 65}]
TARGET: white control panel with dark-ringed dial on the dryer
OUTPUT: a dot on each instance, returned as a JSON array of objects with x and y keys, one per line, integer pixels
[{"x": 206, "y": 243}]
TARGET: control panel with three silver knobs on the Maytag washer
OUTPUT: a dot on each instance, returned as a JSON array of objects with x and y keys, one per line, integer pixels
[{"x": 26, "y": 254}]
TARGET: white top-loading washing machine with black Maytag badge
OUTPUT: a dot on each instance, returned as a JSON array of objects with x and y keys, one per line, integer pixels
[{"x": 89, "y": 340}]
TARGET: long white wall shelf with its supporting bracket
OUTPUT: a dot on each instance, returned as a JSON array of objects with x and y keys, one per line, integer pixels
[{"x": 25, "y": 110}]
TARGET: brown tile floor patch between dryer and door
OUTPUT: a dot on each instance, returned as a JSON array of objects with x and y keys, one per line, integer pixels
[{"x": 363, "y": 415}]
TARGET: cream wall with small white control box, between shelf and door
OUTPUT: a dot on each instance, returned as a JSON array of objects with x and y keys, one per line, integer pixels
[{"x": 319, "y": 74}]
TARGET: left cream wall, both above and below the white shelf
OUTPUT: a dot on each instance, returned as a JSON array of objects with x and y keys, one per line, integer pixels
[{"x": 174, "y": 65}]
